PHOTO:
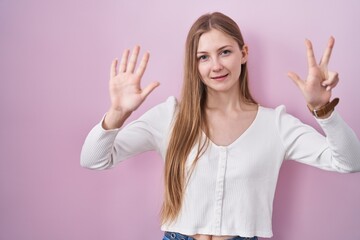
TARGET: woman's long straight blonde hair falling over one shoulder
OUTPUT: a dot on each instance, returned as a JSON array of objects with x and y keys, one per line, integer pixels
[{"x": 191, "y": 118}]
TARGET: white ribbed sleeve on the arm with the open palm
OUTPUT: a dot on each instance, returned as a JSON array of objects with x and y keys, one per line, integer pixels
[{"x": 103, "y": 149}]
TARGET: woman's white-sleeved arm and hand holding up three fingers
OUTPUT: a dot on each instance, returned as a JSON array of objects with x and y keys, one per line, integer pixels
[{"x": 340, "y": 149}]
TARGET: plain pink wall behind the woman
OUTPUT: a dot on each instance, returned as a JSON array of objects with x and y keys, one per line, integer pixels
[{"x": 54, "y": 66}]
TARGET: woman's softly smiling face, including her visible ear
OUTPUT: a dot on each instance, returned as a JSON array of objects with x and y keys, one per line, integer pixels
[{"x": 219, "y": 61}]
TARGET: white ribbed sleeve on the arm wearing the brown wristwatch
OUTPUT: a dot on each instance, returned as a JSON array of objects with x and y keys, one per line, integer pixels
[{"x": 338, "y": 151}]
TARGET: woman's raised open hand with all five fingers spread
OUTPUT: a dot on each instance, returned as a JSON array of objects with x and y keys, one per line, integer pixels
[{"x": 126, "y": 93}]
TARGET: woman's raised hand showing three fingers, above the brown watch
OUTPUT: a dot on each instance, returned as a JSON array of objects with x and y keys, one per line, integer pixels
[{"x": 319, "y": 82}]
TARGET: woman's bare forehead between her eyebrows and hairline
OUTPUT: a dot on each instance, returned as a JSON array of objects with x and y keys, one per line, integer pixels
[{"x": 213, "y": 40}]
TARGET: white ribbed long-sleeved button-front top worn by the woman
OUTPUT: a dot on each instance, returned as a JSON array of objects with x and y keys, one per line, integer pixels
[{"x": 232, "y": 188}]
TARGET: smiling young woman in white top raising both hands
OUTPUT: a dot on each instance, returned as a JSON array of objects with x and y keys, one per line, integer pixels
[{"x": 222, "y": 150}]
